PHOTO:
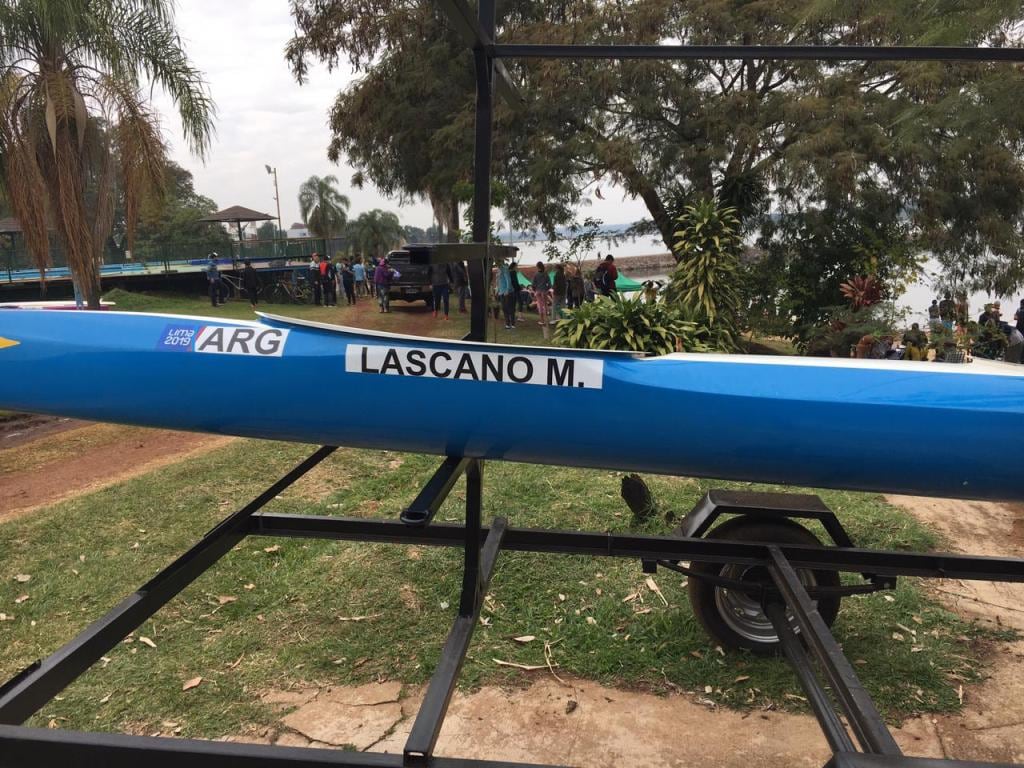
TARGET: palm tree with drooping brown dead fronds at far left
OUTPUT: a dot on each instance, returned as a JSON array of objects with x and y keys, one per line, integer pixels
[{"x": 74, "y": 117}]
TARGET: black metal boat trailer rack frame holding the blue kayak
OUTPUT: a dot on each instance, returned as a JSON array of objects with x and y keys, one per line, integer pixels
[{"x": 851, "y": 723}]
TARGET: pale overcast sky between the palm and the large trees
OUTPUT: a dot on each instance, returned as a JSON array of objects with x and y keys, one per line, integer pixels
[{"x": 265, "y": 118}]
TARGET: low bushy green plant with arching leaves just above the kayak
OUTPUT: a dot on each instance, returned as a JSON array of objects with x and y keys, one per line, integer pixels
[{"x": 630, "y": 324}]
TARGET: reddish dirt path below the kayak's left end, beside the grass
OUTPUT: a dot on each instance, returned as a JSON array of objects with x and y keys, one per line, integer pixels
[{"x": 59, "y": 464}]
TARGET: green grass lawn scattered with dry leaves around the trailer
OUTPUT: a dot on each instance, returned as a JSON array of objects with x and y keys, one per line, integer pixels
[{"x": 277, "y": 614}]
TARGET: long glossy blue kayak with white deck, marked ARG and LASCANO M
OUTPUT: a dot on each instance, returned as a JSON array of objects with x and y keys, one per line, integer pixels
[{"x": 922, "y": 429}]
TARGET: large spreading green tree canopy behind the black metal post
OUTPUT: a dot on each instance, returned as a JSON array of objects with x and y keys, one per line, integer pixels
[{"x": 941, "y": 141}]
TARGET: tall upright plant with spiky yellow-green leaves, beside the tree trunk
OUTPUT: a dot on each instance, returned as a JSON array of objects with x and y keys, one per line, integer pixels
[{"x": 705, "y": 281}]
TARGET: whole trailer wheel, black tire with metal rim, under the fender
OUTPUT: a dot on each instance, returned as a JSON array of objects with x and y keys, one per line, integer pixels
[{"x": 736, "y": 620}]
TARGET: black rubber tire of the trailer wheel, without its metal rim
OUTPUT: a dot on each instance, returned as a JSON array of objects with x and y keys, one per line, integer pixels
[{"x": 744, "y": 529}]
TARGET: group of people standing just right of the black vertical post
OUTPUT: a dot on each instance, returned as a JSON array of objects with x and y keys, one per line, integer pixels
[{"x": 553, "y": 290}]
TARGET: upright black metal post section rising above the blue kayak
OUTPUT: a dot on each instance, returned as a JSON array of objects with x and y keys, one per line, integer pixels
[{"x": 480, "y": 270}]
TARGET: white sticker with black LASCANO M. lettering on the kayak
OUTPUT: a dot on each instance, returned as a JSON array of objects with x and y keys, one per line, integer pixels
[{"x": 460, "y": 365}]
